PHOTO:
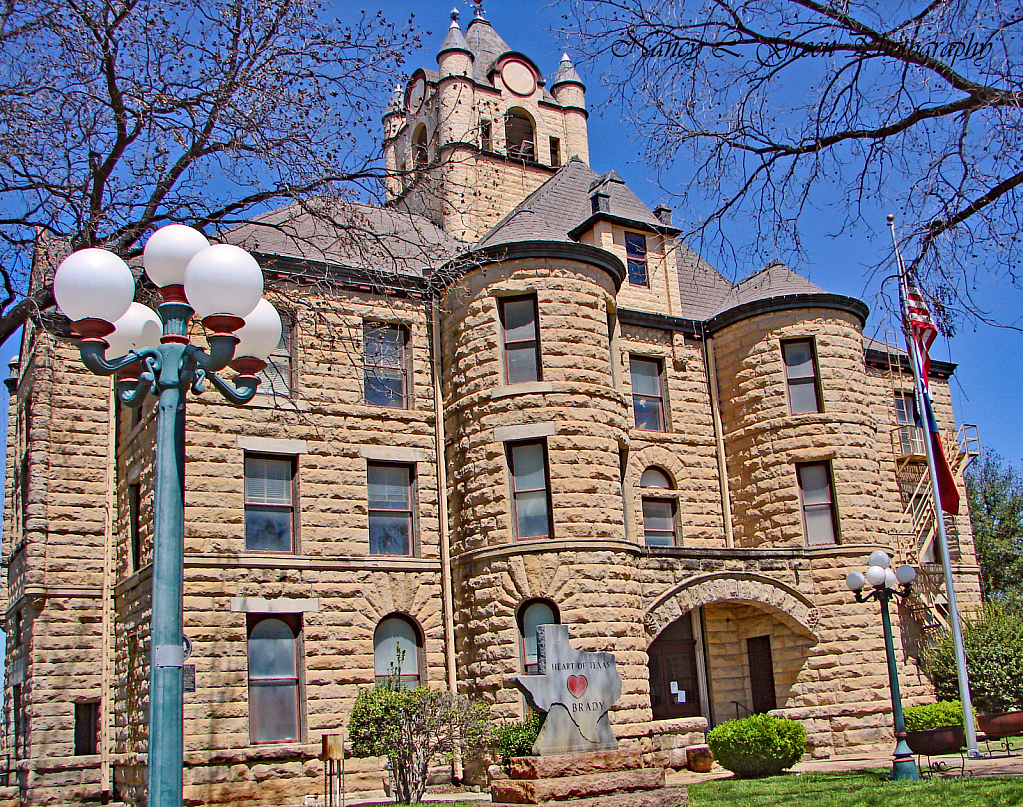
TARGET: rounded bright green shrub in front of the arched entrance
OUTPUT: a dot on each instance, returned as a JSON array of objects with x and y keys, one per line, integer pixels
[{"x": 758, "y": 746}]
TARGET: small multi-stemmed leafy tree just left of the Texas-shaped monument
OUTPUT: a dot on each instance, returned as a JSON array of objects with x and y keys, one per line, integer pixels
[{"x": 411, "y": 728}]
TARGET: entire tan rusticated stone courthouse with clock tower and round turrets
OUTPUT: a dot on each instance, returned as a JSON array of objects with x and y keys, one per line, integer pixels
[{"x": 510, "y": 397}]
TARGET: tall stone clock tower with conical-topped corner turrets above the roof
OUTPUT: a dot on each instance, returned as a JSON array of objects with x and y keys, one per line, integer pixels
[{"x": 470, "y": 142}]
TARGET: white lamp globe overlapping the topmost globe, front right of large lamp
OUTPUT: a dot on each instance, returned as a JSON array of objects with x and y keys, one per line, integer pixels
[{"x": 224, "y": 280}]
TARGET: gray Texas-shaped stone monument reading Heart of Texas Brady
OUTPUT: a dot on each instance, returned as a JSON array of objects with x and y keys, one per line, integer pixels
[{"x": 576, "y": 690}]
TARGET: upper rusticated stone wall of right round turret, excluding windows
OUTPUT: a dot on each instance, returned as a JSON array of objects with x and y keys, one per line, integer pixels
[{"x": 764, "y": 442}]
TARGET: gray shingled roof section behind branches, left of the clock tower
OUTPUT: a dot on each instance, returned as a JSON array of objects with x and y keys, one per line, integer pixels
[{"x": 361, "y": 237}]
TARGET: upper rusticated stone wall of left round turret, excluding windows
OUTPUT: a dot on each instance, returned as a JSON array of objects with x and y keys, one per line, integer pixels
[{"x": 574, "y": 407}]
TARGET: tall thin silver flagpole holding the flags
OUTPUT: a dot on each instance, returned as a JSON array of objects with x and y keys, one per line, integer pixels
[{"x": 940, "y": 518}]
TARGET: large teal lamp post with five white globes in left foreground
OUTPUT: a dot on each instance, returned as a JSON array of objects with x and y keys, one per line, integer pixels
[{"x": 152, "y": 354}]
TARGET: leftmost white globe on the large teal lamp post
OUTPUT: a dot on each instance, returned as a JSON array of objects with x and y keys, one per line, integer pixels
[{"x": 94, "y": 285}]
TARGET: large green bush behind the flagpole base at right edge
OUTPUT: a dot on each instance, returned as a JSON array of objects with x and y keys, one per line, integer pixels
[{"x": 994, "y": 645}]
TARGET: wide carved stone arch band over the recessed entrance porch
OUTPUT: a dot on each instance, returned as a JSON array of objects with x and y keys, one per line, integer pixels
[{"x": 791, "y": 607}]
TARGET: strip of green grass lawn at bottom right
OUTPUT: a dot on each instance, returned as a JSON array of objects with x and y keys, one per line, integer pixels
[{"x": 864, "y": 789}]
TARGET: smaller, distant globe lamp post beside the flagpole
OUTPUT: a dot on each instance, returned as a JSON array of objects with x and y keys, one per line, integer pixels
[{"x": 883, "y": 581}]
